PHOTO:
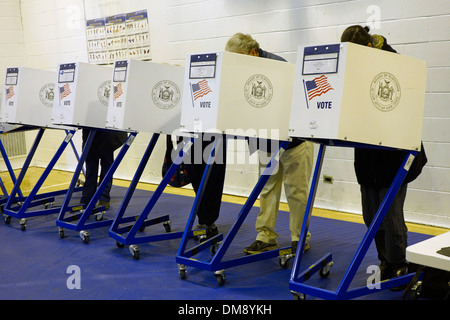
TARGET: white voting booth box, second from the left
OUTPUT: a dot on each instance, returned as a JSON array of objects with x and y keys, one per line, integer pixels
[{"x": 82, "y": 95}]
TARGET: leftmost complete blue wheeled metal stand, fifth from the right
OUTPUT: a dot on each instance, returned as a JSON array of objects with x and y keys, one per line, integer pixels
[{"x": 20, "y": 210}]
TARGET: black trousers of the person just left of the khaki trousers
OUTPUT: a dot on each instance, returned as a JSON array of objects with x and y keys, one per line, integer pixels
[{"x": 209, "y": 206}]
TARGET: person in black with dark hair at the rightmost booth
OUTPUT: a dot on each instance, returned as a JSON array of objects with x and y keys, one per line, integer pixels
[{"x": 375, "y": 170}]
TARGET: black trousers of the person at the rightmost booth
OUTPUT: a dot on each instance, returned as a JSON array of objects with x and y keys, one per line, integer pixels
[{"x": 391, "y": 237}]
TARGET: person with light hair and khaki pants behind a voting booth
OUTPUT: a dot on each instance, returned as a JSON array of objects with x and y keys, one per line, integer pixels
[{"x": 294, "y": 171}]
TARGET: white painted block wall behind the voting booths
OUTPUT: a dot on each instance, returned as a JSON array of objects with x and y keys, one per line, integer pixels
[{"x": 53, "y": 32}]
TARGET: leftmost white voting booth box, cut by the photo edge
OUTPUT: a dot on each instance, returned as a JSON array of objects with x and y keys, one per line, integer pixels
[{"x": 28, "y": 97}]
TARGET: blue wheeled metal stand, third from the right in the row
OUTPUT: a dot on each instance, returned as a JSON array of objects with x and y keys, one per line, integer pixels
[{"x": 126, "y": 235}]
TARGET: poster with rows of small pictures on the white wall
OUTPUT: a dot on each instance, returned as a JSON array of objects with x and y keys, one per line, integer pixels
[{"x": 118, "y": 37}]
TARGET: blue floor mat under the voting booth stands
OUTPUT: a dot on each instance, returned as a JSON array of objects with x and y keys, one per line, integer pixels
[{"x": 36, "y": 264}]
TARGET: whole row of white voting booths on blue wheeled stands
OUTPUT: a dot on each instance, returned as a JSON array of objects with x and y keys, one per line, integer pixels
[{"x": 335, "y": 95}]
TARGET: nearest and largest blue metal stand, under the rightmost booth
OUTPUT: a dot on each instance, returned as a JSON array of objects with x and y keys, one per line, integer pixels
[{"x": 323, "y": 265}]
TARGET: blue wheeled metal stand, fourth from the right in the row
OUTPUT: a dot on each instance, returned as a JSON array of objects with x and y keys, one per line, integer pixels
[{"x": 78, "y": 220}]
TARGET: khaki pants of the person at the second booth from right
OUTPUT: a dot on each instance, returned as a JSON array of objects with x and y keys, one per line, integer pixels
[{"x": 294, "y": 171}]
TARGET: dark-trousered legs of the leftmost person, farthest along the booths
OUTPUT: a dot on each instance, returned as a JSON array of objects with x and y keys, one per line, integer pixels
[{"x": 101, "y": 152}]
